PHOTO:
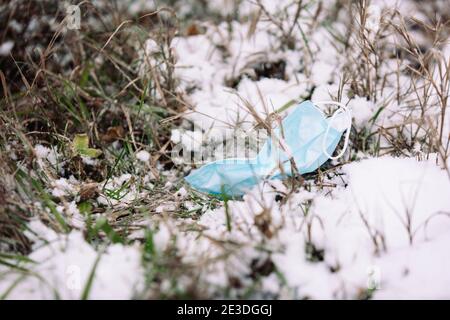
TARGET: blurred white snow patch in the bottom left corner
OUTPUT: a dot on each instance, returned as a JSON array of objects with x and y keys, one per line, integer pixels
[{"x": 64, "y": 265}]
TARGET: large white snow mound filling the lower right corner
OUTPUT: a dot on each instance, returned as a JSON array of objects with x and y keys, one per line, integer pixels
[{"x": 384, "y": 192}]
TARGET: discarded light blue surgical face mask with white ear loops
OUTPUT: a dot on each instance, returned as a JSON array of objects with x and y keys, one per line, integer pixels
[{"x": 305, "y": 138}]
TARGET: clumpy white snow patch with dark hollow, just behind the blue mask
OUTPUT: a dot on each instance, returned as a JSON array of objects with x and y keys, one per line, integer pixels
[{"x": 201, "y": 65}]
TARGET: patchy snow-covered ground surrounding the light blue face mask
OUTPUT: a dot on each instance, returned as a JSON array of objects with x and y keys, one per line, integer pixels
[{"x": 375, "y": 226}]
